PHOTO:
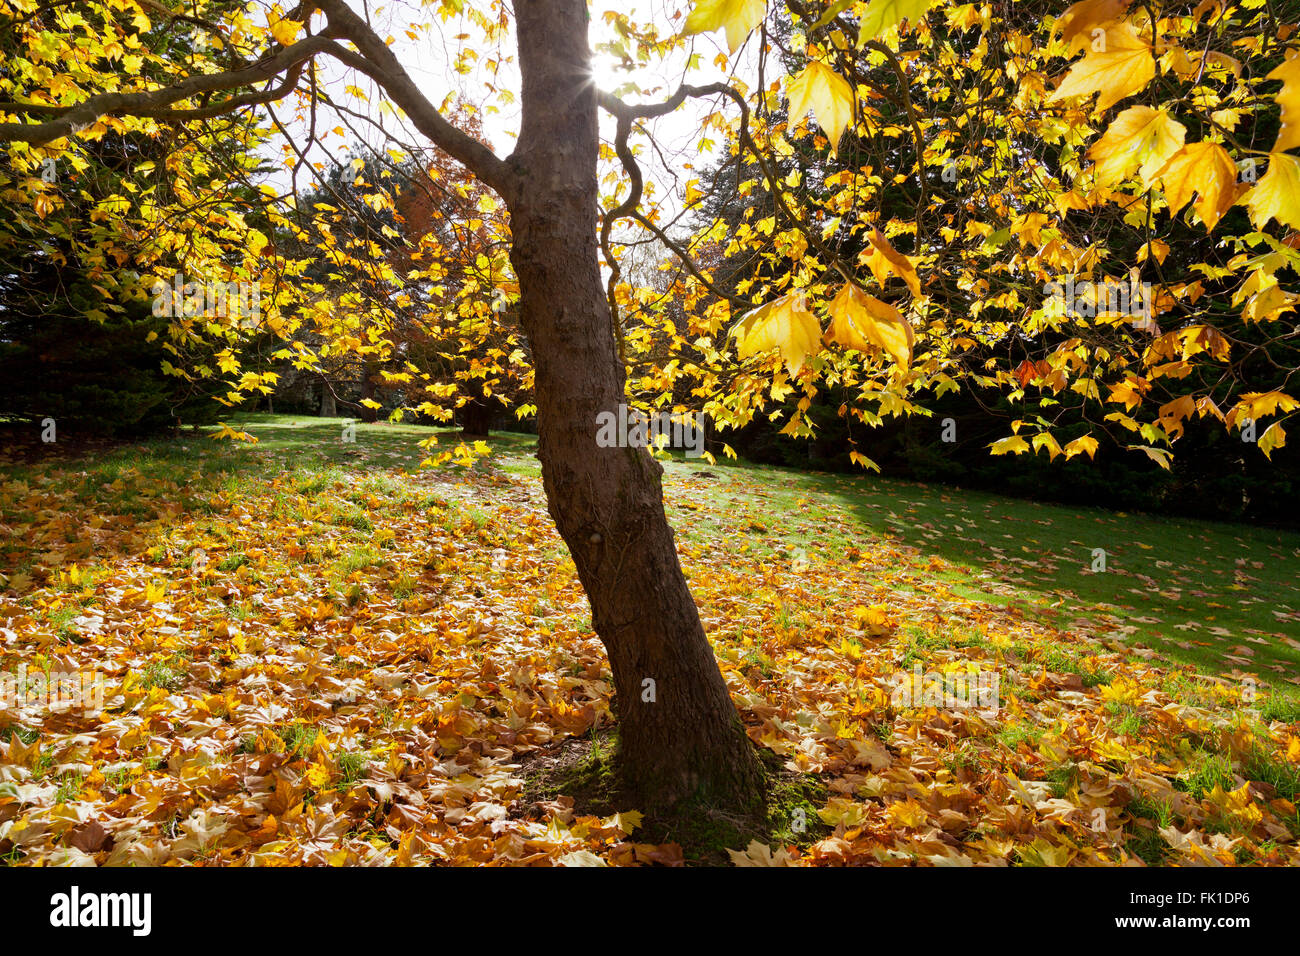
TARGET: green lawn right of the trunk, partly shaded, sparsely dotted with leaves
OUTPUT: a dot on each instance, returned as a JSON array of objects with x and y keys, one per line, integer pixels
[{"x": 1194, "y": 591}]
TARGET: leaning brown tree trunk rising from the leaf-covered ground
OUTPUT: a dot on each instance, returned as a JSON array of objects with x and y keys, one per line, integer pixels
[{"x": 681, "y": 736}]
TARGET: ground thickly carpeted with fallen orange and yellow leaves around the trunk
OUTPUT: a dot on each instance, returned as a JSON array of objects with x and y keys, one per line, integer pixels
[{"x": 314, "y": 652}]
